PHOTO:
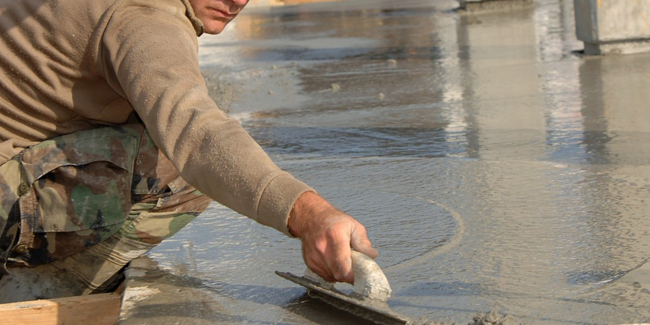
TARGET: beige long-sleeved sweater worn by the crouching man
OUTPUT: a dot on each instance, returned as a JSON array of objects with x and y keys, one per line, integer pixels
[{"x": 70, "y": 65}]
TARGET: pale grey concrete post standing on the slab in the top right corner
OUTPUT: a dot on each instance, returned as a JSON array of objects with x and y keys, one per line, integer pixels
[{"x": 613, "y": 26}]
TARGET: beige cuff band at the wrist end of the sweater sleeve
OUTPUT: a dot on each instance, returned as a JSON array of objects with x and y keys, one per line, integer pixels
[{"x": 278, "y": 199}]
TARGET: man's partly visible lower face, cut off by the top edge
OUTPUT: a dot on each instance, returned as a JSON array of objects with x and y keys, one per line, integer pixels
[{"x": 216, "y": 14}]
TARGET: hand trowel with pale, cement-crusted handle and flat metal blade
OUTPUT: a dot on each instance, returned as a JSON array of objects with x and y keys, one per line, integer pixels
[{"x": 368, "y": 299}]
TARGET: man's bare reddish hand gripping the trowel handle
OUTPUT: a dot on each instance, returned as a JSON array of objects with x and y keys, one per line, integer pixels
[{"x": 327, "y": 236}]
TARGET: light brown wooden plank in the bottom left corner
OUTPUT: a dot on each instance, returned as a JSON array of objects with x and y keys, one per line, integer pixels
[{"x": 97, "y": 309}]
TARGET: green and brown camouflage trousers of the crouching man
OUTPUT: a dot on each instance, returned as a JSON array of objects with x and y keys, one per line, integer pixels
[{"x": 91, "y": 201}]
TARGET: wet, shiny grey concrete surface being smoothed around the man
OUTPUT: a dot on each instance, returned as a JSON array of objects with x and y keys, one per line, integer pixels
[{"x": 495, "y": 167}]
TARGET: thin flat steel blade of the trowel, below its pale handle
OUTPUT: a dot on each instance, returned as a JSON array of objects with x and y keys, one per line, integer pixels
[{"x": 370, "y": 309}]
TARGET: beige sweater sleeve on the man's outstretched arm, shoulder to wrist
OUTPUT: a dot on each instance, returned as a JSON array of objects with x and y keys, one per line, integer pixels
[{"x": 153, "y": 54}]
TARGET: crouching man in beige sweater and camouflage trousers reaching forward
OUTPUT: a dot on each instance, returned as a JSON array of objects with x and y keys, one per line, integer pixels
[{"x": 107, "y": 131}]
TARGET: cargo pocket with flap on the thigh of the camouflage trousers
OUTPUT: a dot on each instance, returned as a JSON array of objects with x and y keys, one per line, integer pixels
[{"x": 75, "y": 191}]
